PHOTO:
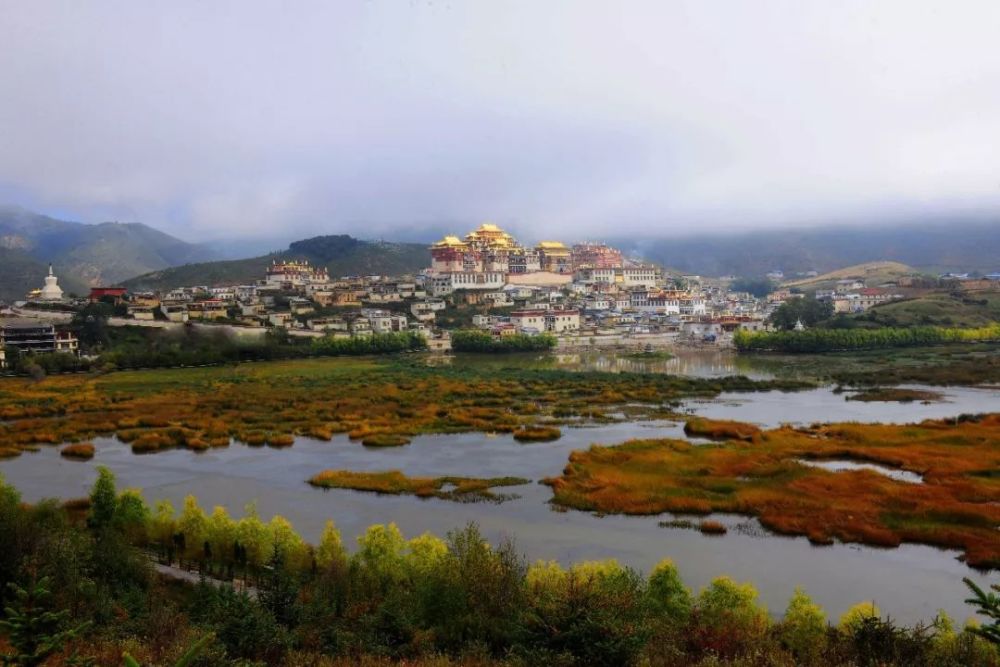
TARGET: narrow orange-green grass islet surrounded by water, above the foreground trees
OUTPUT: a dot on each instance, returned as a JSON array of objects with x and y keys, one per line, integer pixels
[{"x": 394, "y": 482}]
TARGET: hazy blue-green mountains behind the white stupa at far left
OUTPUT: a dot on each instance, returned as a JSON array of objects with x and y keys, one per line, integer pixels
[{"x": 83, "y": 255}]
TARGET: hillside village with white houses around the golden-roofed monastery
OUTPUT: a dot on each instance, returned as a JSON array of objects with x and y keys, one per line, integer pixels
[{"x": 586, "y": 295}]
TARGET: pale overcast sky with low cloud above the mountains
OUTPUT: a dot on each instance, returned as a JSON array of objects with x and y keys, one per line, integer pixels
[{"x": 561, "y": 119}]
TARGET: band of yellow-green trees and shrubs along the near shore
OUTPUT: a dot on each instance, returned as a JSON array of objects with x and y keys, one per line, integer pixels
[{"x": 77, "y": 584}]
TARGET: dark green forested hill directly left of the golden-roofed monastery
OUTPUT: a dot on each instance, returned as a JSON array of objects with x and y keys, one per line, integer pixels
[{"x": 340, "y": 254}]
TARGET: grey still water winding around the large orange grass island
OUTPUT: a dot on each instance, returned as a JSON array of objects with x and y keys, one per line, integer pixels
[{"x": 910, "y": 582}]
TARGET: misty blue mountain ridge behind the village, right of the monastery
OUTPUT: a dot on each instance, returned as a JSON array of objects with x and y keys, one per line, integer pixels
[{"x": 940, "y": 246}]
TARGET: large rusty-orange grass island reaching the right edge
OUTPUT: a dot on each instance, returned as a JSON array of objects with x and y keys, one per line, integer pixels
[{"x": 957, "y": 505}]
